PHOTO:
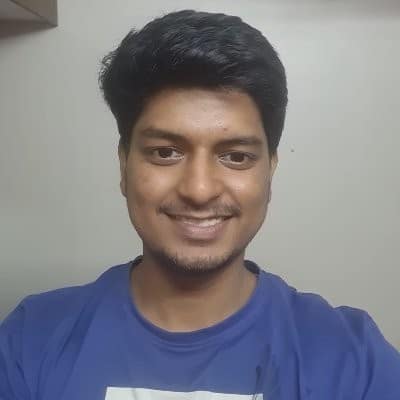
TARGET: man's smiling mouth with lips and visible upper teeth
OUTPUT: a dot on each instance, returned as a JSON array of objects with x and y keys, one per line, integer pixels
[{"x": 204, "y": 229}]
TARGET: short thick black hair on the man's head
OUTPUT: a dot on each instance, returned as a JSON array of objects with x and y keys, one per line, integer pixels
[{"x": 194, "y": 49}]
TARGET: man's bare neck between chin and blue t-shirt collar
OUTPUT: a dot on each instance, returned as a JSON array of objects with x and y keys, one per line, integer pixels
[{"x": 179, "y": 302}]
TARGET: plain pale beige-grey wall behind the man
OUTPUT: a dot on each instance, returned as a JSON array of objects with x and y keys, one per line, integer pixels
[{"x": 334, "y": 223}]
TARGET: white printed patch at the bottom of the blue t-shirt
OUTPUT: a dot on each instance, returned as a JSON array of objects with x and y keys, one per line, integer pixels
[{"x": 114, "y": 393}]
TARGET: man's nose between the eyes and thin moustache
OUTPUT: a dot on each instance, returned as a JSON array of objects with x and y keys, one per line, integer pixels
[{"x": 200, "y": 182}]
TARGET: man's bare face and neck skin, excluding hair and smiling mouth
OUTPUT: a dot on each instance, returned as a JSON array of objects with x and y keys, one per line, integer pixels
[{"x": 186, "y": 282}]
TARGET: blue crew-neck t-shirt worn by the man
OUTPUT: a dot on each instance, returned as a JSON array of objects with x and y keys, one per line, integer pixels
[{"x": 91, "y": 343}]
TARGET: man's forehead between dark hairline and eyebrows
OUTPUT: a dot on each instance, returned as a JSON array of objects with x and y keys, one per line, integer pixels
[{"x": 201, "y": 115}]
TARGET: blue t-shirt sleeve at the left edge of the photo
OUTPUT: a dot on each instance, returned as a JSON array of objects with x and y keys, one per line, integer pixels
[{"x": 12, "y": 382}]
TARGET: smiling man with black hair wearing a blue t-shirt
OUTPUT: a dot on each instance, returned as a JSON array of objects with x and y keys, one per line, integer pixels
[{"x": 200, "y": 101}]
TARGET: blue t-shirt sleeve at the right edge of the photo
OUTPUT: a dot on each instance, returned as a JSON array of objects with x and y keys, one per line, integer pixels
[{"x": 379, "y": 369}]
